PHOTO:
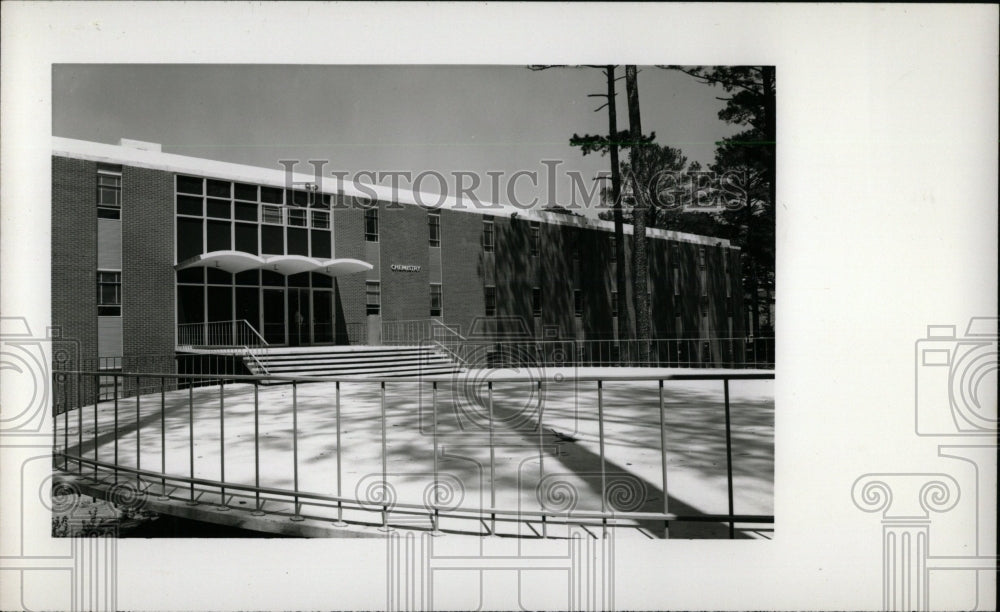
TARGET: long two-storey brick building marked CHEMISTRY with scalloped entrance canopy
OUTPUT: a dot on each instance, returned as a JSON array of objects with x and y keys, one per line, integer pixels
[{"x": 149, "y": 250}]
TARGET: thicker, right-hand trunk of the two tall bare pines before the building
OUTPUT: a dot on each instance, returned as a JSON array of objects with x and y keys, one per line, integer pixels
[{"x": 640, "y": 270}]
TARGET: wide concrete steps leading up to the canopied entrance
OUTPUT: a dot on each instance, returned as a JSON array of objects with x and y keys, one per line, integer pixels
[{"x": 352, "y": 361}]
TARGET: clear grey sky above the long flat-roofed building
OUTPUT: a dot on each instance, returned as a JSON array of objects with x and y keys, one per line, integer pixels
[{"x": 414, "y": 119}]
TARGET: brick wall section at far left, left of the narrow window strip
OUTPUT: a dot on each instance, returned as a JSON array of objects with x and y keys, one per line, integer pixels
[{"x": 74, "y": 253}]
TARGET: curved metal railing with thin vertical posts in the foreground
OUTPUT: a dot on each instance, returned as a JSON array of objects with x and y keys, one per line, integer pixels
[{"x": 605, "y": 515}]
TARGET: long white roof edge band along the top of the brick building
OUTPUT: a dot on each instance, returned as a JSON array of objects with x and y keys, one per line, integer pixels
[{"x": 183, "y": 164}]
